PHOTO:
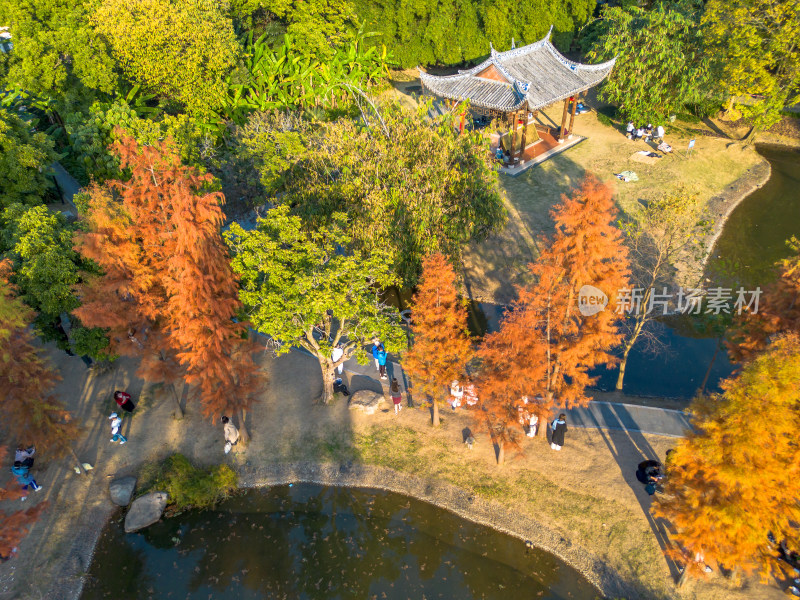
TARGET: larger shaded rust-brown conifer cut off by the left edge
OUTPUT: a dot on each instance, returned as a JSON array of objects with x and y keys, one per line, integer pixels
[{"x": 26, "y": 379}]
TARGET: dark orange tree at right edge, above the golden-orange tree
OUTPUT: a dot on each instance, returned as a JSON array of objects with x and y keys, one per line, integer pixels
[{"x": 778, "y": 311}]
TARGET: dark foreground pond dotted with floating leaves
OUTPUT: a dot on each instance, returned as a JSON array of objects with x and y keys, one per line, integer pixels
[{"x": 314, "y": 542}]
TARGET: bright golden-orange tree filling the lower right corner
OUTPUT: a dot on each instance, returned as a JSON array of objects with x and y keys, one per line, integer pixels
[{"x": 733, "y": 482}]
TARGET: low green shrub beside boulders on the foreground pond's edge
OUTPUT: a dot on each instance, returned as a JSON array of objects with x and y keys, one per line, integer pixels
[{"x": 188, "y": 486}]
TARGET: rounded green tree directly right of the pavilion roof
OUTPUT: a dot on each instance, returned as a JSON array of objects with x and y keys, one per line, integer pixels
[{"x": 660, "y": 65}]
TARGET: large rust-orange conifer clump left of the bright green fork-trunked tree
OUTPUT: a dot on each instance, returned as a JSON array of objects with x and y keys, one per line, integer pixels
[{"x": 167, "y": 277}]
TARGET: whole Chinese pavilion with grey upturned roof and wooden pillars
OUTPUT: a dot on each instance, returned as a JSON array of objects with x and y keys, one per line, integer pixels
[{"x": 516, "y": 84}]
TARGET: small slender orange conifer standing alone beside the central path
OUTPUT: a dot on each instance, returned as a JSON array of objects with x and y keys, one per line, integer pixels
[{"x": 442, "y": 347}]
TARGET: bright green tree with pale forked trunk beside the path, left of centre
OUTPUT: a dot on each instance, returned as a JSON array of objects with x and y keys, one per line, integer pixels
[{"x": 303, "y": 289}]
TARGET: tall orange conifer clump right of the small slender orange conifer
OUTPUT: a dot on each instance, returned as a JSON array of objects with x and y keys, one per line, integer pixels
[{"x": 546, "y": 346}]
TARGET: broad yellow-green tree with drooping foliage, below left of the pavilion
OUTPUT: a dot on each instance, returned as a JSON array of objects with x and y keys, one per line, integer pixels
[{"x": 409, "y": 187}]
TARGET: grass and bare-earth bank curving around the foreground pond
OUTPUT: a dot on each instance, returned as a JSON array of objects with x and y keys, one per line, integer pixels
[{"x": 587, "y": 494}]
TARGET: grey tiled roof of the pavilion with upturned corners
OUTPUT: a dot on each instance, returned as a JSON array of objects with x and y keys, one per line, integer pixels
[{"x": 536, "y": 73}]
